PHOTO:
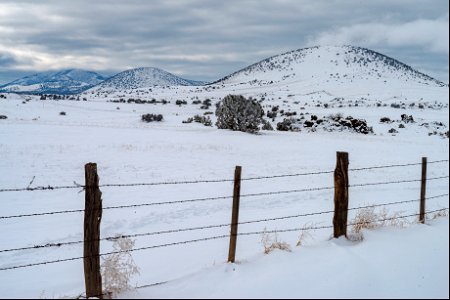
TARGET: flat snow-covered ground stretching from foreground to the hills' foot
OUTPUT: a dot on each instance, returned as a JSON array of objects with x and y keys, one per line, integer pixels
[{"x": 36, "y": 141}]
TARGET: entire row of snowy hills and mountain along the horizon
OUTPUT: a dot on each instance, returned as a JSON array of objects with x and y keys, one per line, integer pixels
[{"x": 321, "y": 68}]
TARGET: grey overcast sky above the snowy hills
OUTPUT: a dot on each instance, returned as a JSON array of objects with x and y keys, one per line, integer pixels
[{"x": 208, "y": 39}]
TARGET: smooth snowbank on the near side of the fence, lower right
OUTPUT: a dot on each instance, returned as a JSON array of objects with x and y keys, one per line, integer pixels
[{"x": 390, "y": 263}]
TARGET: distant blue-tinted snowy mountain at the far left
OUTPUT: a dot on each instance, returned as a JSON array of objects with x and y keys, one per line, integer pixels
[{"x": 71, "y": 81}]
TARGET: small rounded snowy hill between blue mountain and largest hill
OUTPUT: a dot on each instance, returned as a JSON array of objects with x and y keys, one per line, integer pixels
[{"x": 142, "y": 78}]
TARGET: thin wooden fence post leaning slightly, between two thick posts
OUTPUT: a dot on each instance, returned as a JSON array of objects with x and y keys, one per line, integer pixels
[{"x": 235, "y": 214}]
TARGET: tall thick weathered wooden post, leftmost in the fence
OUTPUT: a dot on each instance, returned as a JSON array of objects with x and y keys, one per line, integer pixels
[{"x": 92, "y": 218}]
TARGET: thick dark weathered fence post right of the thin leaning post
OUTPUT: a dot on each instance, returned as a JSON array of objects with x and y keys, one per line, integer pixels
[{"x": 340, "y": 195}]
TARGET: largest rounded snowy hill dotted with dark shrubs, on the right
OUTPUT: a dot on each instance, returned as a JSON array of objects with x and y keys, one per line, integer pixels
[{"x": 338, "y": 71}]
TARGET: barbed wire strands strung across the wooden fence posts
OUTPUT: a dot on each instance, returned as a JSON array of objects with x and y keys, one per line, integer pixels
[{"x": 231, "y": 236}]
